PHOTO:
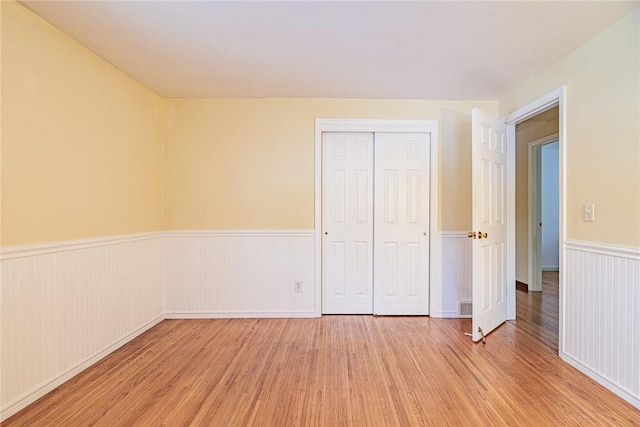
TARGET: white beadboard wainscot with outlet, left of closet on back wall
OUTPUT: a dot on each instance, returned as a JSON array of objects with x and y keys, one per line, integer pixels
[{"x": 239, "y": 274}]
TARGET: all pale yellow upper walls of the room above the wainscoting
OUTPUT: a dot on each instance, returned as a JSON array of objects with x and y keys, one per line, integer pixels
[{"x": 82, "y": 153}]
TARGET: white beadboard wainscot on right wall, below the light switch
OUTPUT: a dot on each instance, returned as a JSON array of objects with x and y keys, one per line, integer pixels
[{"x": 601, "y": 334}]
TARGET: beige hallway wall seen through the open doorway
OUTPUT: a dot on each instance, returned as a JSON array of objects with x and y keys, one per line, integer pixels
[{"x": 535, "y": 128}]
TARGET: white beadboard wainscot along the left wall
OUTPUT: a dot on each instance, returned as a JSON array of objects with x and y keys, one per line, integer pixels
[{"x": 64, "y": 306}]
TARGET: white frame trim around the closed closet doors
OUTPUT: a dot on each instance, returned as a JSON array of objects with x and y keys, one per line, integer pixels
[{"x": 368, "y": 125}]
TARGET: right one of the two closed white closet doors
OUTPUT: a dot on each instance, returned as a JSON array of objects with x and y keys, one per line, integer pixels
[{"x": 401, "y": 254}]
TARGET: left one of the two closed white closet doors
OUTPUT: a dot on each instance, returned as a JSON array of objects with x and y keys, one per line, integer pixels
[{"x": 347, "y": 200}]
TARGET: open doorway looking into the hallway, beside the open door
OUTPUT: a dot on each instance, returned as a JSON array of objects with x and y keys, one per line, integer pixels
[{"x": 537, "y": 226}]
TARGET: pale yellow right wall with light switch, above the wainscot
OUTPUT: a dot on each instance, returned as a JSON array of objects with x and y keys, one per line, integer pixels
[{"x": 602, "y": 130}]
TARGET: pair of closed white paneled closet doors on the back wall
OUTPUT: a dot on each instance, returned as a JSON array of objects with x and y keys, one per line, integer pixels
[{"x": 375, "y": 223}]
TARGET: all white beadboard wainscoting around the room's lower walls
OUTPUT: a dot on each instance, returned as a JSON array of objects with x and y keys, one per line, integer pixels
[{"x": 65, "y": 306}]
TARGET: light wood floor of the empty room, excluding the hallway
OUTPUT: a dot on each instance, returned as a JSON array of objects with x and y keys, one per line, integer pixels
[{"x": 331, "y": 371}]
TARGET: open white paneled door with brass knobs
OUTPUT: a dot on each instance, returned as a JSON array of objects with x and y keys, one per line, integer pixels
[{"x": 489, "y": 218}]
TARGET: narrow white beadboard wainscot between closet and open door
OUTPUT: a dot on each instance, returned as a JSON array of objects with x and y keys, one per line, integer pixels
[{"x": 455, "y": 274}]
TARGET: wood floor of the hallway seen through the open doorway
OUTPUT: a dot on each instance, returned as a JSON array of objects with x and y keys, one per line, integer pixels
[{"x": 537, "y": 313}]
